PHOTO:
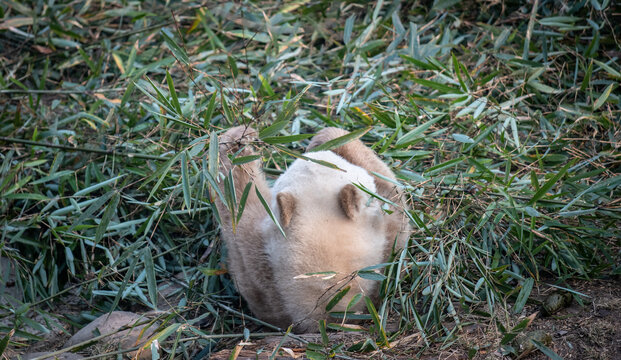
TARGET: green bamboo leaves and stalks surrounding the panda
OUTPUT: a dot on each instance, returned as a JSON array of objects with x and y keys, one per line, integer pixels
[{"x": 503, "y": 125}]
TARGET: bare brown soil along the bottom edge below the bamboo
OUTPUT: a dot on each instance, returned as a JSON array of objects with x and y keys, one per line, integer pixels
[{"x": 591, "y": 331}]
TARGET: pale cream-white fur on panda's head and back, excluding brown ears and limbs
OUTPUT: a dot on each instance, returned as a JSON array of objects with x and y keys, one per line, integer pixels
[{"x": 322, "y": 238}]
